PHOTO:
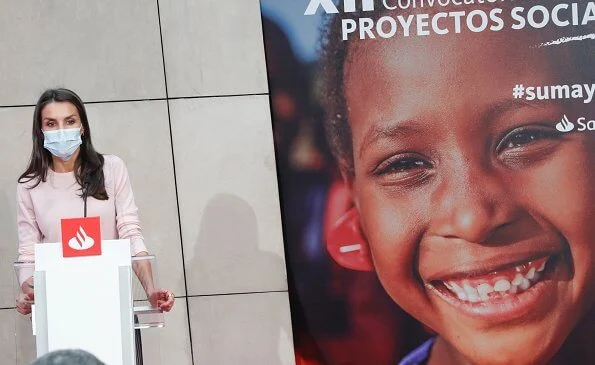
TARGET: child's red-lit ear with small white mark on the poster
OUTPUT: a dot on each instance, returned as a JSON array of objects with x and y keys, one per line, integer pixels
[{"x": 346, "y": 244}]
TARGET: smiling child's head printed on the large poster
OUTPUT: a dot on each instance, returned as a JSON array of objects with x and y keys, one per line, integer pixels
[{"x": 476, "y": 213}]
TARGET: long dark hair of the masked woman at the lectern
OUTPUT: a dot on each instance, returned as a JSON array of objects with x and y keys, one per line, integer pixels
[{"x": 88, "y": 167}]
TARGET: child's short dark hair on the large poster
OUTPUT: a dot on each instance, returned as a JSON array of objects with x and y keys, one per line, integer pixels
[{"x": 336, "y": 54}]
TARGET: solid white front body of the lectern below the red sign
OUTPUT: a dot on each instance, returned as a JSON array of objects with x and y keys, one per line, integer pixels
[{"x": 85, "y": 302}]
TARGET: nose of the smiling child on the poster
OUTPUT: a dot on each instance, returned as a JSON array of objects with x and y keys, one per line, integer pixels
[{"x": 473, "y": 207}]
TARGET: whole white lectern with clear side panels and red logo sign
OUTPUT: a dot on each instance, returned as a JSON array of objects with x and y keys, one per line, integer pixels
[{"x": 85, "y": 295}]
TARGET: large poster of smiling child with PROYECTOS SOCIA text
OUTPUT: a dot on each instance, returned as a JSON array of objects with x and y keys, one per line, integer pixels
[{"x": 437, "y": 171}]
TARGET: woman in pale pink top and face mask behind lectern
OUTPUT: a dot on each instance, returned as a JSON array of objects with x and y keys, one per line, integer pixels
[{"x": 66, "y": 177}]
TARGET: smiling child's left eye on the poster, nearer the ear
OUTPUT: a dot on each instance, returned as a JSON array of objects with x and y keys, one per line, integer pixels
[{"x": 403, "y": 168}]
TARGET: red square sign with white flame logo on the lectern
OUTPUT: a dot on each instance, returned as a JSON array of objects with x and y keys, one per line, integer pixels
[{"x": 81, "y": 237}]
